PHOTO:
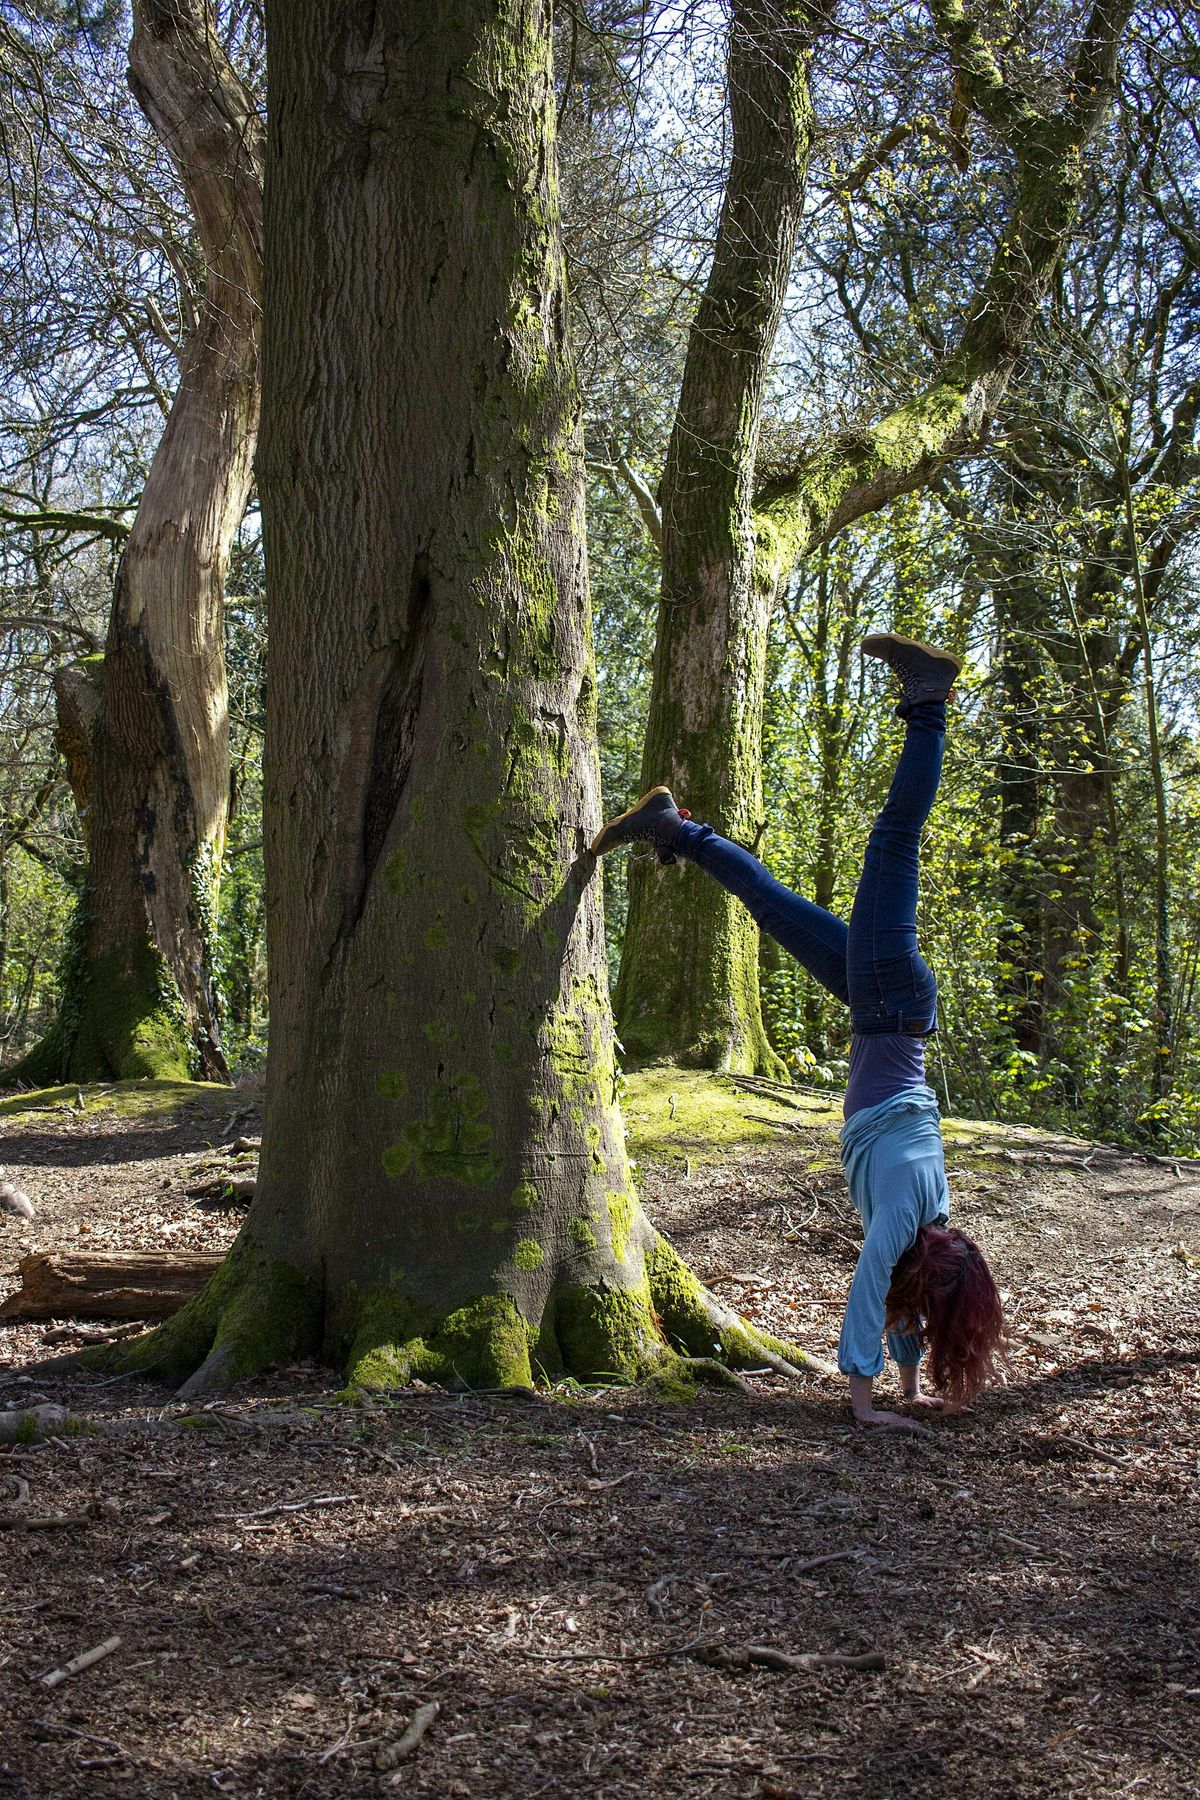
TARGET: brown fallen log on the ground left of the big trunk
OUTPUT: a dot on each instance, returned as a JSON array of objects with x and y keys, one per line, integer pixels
[{"x": 107, "y": 1286}]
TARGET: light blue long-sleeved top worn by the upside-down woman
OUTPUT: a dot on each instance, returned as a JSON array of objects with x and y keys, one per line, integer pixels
[{"x": 897, "y": 1174}]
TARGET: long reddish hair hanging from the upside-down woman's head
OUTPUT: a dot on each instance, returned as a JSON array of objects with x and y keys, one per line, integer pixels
[{"x": 944, "y": 1293}]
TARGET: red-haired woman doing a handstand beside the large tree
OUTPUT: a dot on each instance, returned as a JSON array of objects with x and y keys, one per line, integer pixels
[{"x": 918, "y": 1281}]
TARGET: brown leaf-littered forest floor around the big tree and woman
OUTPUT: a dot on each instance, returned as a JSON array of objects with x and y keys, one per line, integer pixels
[{"x": 575, "y": 1581}]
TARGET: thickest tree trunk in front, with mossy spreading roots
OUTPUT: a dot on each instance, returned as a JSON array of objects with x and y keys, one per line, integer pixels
[{"x": 443, "y": 1183}]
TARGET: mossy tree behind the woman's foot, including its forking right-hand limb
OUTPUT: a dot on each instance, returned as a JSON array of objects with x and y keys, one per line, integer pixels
[{"x": 688, "y": 985}]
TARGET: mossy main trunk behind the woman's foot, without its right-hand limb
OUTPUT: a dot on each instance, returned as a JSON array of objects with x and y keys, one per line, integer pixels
[{"x": 688, "y": 987}]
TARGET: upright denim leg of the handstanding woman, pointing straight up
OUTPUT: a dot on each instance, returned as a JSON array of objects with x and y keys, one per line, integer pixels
[{"x": 886, "y": 971}]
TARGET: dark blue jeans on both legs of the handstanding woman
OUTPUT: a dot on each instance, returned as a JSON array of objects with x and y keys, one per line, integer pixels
[{"x": 873, "y": 966}]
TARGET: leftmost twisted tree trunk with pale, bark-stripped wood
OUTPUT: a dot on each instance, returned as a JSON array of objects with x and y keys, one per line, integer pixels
[{"x": 139, "y": 980}]
